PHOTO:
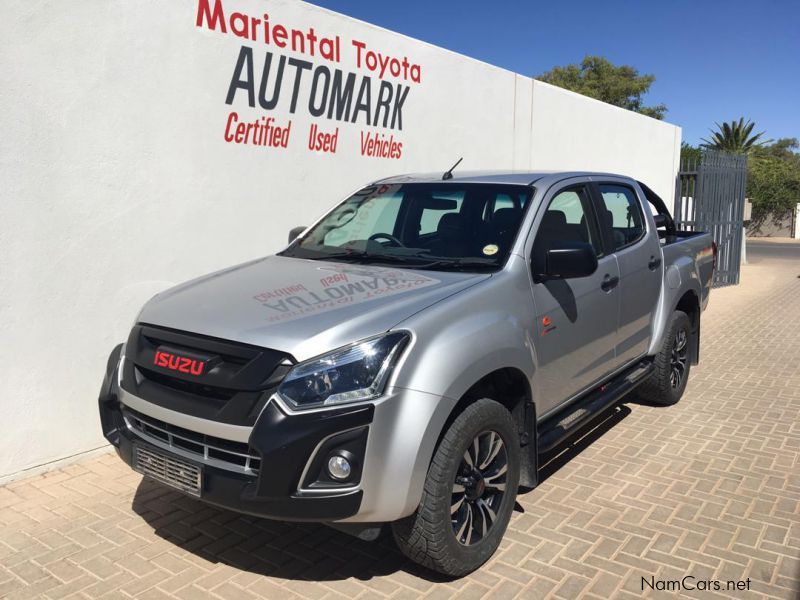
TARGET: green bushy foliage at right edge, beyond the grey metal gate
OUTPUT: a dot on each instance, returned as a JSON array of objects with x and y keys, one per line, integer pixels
[{"x": 773, "y": 178}]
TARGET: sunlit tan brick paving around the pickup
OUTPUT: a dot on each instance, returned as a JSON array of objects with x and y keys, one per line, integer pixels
[{"x": 708, "y": 488}]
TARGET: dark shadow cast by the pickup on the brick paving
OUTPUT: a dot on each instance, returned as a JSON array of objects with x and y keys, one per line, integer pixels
[{"x": 305, "y": 551}]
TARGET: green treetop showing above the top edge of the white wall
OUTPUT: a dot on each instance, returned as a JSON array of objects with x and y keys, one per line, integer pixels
[{"x": 599, "y": 78}]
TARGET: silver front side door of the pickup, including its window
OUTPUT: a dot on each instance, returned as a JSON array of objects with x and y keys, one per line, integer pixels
[{"x": 576, "y": 318}]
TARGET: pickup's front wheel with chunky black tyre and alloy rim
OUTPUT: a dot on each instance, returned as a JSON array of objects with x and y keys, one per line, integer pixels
[{"x": 469, "y": 493}]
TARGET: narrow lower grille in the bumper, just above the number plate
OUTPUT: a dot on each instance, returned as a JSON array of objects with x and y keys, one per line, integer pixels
[{"x": 216, "y": 452}]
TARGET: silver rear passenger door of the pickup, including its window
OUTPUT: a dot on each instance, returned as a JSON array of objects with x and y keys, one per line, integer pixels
[{"x": 638, "y": 254}]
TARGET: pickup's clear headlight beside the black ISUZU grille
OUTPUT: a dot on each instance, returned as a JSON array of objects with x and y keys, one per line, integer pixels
[{"x": 351, "y": 374}]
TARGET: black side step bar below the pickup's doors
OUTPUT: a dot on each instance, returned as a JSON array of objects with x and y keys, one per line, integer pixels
[{"x": 559, "y": 427}]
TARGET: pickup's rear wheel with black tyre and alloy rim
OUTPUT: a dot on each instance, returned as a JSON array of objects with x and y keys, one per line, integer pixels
[{"x": 672, "y": 364}]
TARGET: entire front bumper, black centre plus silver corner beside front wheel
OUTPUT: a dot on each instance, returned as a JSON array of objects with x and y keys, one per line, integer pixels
[{"x": 392, "y": 440}]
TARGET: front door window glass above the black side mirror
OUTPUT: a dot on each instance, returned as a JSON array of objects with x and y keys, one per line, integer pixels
[{"x": 568, "y": 218}]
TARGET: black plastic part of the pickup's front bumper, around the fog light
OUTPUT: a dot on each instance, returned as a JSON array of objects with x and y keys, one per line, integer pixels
[{"x": 285, "y": 444}]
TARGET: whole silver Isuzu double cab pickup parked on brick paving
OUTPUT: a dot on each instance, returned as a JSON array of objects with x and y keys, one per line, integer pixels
[{"x": 412, "y": 356}]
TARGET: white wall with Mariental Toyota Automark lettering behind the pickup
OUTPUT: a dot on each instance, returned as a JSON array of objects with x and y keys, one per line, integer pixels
[{"x": 117, "y": 182}]
